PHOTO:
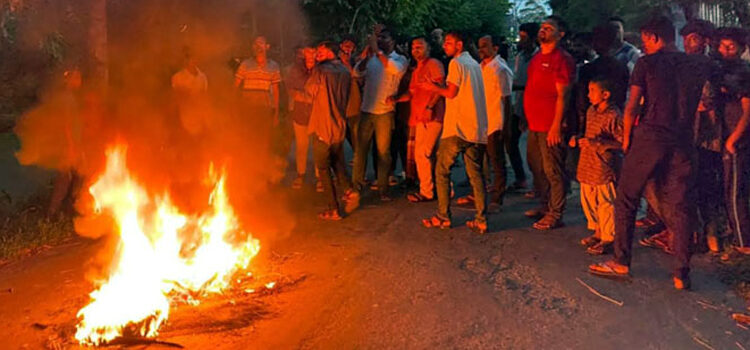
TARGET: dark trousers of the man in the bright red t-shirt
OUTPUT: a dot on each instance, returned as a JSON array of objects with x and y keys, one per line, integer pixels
[{"x": 548, "y": 168}]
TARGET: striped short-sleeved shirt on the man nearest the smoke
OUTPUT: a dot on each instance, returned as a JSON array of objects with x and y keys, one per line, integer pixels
[{"x": 256, "y": 82}]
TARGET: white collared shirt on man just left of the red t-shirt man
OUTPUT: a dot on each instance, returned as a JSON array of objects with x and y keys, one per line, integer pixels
[{"x": 498, "y": 84}]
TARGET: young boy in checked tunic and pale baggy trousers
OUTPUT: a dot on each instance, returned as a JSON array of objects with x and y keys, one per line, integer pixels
[{"x": 598, "y": 164}]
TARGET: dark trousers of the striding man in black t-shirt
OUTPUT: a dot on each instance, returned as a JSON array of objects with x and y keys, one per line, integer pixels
[{"x": 672, "y": 166}]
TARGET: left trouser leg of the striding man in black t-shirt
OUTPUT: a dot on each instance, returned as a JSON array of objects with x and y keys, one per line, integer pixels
[{"x": 640, "y": 164}]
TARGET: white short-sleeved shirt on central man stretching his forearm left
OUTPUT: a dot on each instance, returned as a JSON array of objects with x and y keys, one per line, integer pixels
[{"x": 466, "y": 113}]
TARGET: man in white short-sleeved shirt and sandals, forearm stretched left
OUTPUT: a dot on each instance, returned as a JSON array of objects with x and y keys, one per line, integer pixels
[{"x": 464, "y": 131}]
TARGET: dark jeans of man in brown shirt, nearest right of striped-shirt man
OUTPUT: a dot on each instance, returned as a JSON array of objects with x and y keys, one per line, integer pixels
[{"x": 331, "y": 157}]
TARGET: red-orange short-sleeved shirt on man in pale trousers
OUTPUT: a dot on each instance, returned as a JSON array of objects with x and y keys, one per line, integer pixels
[{"x": 430, "y": 71}]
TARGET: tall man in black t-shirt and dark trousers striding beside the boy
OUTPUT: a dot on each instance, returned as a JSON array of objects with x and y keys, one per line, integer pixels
[{"x": 659, "y": 147}]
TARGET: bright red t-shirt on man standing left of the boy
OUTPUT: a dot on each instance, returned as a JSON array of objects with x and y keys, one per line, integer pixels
[{"x": 540, "y": 96}]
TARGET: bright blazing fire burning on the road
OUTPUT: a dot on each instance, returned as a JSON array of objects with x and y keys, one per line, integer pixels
[{"x": 160, "y": 252}]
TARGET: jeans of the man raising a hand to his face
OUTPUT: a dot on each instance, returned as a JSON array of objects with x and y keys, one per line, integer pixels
[{"x": 381, "y": 126}]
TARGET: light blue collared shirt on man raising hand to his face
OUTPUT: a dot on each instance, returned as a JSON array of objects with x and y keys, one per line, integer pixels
[{"x": 381, "y": 82}]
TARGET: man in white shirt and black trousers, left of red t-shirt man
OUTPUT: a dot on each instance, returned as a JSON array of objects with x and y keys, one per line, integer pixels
[{"x": 498, "y": 86}]
